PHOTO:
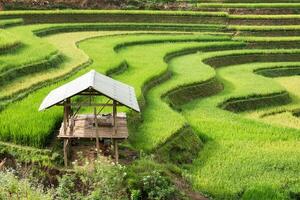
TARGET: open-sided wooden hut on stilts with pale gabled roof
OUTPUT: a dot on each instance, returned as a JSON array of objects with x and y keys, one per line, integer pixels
[{"x": 95, "y": 125}]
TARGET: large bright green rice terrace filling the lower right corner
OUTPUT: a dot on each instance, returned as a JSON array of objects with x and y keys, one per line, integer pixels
[{"x": 242, "y": 156}]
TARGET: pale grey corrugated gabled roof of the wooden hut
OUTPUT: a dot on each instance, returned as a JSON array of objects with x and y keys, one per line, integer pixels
[{"x": 105, "y": 85}]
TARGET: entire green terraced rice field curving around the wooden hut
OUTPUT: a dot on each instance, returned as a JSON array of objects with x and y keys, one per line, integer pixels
[{"x": 228, "y": 74}]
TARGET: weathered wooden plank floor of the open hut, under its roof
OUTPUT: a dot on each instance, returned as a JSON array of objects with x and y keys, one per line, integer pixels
[{"x": 85, "y": 128}]
